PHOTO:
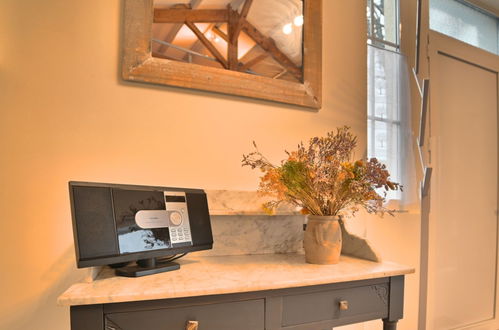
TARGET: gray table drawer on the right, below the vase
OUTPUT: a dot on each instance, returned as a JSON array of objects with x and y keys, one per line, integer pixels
[{"x": 364, "y": 302}]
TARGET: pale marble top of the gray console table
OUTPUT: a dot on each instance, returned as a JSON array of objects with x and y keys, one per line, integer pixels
[{"x": 199, "y": 276}]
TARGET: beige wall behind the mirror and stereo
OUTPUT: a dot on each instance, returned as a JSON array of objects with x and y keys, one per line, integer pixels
[{"x": 65, "y": 115}]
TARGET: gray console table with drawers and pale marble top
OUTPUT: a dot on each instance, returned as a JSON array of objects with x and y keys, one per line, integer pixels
[{"x": 244, "y": 293}]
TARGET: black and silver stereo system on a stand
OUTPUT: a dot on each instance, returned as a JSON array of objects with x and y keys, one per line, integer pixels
[{"x": 115, "y": 224}]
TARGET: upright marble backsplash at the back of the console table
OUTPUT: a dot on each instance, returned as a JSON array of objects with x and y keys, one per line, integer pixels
[{"x": 240, "y": 226}]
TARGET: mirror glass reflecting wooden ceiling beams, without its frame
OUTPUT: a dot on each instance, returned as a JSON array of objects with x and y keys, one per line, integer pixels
[{"x": 259, "y": 37}]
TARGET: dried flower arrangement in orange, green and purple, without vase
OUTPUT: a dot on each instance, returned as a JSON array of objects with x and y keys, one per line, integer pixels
[{"x": 322, "y": 179}]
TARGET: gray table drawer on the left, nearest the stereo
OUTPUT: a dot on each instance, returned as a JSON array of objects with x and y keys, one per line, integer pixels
[{"x": 241, "y": 315}]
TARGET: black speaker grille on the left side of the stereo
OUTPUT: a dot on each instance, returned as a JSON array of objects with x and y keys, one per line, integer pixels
[{"x": 94, "y": 221}]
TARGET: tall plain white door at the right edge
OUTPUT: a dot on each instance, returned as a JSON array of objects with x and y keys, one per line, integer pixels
[{"x": 463, "y": 223}]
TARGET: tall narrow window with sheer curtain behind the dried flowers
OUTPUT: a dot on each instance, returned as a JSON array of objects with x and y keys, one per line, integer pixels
[{"x": 385, "y": 68}]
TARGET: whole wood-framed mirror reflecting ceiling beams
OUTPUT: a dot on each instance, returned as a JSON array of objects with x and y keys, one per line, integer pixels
[{"x": 265, "y": 49}]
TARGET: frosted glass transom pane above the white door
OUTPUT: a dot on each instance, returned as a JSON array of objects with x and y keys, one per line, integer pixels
[{"x": 465, "y": 23}]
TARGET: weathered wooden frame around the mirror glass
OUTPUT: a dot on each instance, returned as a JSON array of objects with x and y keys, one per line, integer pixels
[{"x": 139, "y": 65}]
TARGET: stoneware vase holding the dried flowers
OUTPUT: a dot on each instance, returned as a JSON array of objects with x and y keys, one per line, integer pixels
[{"x": 322, "y": 242}]
